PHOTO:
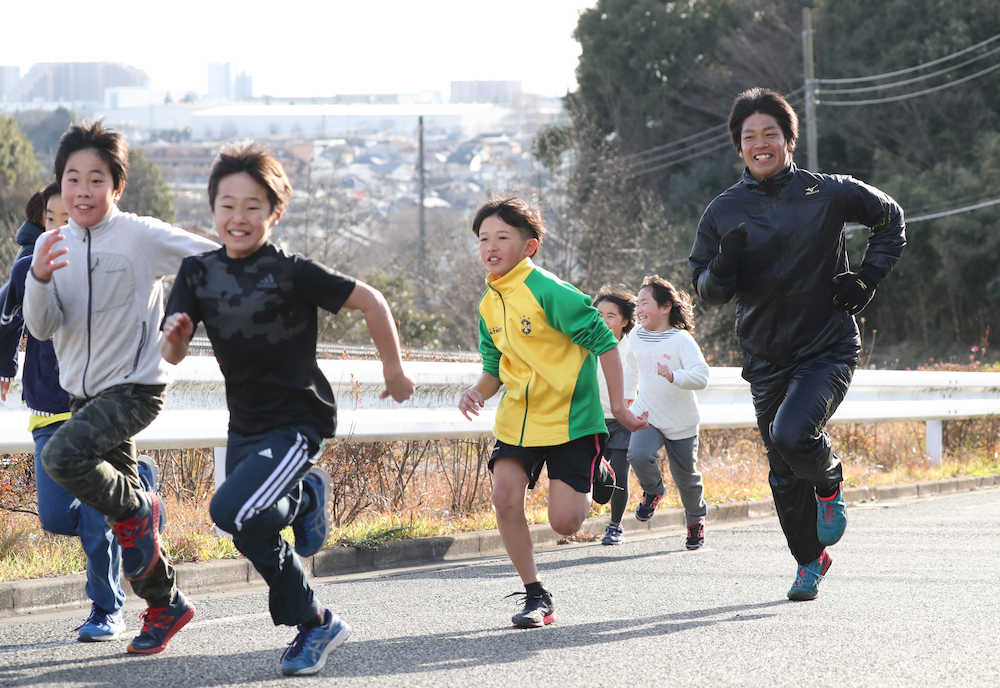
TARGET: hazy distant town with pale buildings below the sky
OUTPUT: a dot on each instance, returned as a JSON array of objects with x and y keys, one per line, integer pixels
[{"x": 360, "y": 147}]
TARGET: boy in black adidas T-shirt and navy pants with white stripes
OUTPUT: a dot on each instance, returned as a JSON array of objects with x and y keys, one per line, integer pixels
[{"x": 259, "y": 305}]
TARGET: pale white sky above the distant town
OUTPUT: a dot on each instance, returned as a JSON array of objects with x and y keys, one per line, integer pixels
[{"x": 308, "y": 47}]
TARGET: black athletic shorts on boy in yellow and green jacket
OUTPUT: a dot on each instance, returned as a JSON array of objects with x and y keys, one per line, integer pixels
[{"x": 572, "y": 462}]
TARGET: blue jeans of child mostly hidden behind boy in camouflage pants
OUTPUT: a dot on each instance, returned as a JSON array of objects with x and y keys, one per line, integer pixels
[{"x": 63, "y": 514}]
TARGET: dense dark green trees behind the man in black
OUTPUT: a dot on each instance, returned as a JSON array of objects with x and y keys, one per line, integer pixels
[{"x": 656, "y": 80}]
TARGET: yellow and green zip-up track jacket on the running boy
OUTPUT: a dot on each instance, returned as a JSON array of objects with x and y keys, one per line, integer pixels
[{"x": 541, "y": 337}]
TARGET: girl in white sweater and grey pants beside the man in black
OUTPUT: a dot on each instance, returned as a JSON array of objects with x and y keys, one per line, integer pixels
[{"x": 670, "y": 367}]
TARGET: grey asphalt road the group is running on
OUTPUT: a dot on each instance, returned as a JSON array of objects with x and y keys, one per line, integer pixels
[{"x": 912, "y": 599}]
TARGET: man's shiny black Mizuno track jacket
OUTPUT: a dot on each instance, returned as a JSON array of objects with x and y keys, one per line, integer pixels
[{"x": 795, "y": 245}]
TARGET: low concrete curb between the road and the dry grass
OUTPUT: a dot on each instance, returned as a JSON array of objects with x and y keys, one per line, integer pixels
[{"x": 47, "y": 594}]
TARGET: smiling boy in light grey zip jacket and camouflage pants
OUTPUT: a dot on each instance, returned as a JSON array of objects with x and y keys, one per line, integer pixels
[{"x": 95, "y": 290}]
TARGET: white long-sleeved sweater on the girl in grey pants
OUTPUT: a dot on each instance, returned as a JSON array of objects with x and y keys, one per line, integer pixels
[{"x": 672, "y": 406}]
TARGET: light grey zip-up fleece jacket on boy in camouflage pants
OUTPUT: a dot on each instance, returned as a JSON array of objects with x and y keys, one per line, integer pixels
[{"x": 105, "y": 322}]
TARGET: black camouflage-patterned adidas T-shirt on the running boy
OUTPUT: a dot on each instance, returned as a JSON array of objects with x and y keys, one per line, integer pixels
[{"x": 260, "y": 314}]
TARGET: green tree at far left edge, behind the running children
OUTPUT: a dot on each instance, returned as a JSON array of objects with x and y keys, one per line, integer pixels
[{"x": 19, "y": 178}]
